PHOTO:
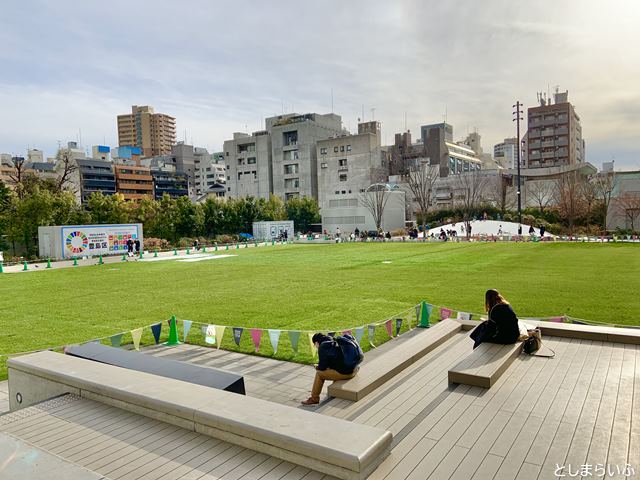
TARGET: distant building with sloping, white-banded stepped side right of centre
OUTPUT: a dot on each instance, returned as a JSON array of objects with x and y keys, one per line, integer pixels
[{"x": 452, "y": 158}]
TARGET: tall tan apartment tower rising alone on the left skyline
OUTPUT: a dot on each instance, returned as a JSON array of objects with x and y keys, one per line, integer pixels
[{"x": 154, "y": 133}]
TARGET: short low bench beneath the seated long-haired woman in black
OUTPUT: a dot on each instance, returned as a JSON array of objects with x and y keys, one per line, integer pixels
[{"x": 484, "y": 365}]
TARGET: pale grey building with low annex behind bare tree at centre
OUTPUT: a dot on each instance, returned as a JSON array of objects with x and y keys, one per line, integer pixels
[{"x": 348, "y": 165}]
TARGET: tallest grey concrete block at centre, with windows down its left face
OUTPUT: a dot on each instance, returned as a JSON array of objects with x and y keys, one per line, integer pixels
[{"x": 294, "y": 153}]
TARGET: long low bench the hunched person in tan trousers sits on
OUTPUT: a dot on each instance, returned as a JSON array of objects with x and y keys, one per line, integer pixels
[{"x": 375, "y": 373}]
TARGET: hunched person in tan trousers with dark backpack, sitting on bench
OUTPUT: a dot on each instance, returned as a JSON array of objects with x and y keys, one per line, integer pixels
[{"x": 332, "y": 364}]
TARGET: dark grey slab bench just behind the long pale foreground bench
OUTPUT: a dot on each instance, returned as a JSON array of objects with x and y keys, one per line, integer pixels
[{"x": 187, "y": 372}]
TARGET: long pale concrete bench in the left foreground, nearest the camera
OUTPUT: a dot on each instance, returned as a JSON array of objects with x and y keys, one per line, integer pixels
[{"x": 325, "y": 444}]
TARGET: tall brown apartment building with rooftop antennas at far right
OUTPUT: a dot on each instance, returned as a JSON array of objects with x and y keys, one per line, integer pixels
[{"x": 554, "y": 136}]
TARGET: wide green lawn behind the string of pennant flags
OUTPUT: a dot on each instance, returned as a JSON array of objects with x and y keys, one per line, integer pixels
[{"x": 321, "y": 287}]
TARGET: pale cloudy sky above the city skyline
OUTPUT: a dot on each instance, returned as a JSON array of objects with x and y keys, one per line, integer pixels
[{"x": 218, "y": 67}]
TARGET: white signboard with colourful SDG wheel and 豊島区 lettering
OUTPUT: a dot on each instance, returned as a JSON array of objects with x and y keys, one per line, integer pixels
[{"x": 92, "y": 240}]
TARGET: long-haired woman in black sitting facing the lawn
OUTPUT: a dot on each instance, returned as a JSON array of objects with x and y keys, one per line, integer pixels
[{"x": 502, "y": 324}]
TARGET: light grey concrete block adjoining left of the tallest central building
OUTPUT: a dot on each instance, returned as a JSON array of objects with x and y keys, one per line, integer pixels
[{"x": 248, "y": 165}]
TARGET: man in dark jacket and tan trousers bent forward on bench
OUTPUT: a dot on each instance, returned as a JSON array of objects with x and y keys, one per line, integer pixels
[{"x": 330, "y": 366}]
